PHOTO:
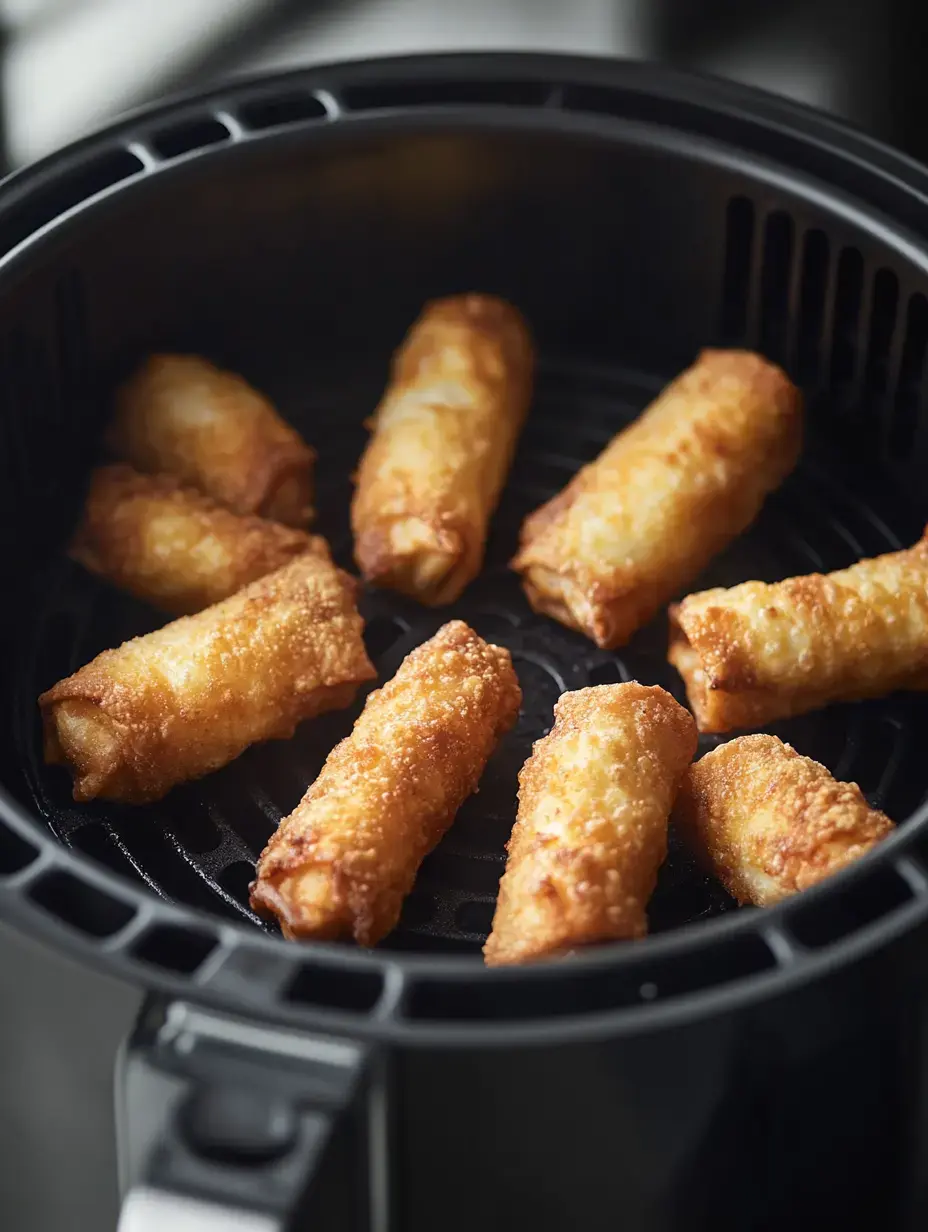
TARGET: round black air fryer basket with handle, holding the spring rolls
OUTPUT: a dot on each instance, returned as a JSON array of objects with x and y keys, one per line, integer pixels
[{"x": 739, "y": 1070}]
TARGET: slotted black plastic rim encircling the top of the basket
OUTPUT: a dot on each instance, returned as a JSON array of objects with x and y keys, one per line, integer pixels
[{"x": 384, "y": 995}]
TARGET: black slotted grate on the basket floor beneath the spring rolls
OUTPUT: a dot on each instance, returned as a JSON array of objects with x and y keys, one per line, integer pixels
[{"x": 198, "y": 847}]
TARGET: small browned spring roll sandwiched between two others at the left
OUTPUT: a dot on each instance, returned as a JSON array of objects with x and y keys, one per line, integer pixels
[{"x": 174, "y": 548}]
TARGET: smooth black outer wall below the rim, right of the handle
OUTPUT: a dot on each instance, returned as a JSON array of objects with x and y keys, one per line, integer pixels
[{"x": 803, "y": 1117}]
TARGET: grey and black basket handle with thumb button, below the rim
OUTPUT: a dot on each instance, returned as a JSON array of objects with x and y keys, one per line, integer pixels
[{"x": 229, "y": 1125}]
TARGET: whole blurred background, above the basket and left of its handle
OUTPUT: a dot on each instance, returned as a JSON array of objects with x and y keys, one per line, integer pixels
[{"x": 68, "y": 67}]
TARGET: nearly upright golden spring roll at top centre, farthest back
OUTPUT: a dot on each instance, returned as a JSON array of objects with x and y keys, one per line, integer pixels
[{"x": 443, "y": 442}]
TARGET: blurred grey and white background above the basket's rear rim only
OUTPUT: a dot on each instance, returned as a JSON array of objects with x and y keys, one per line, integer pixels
[{"x": 70, "y": 66}]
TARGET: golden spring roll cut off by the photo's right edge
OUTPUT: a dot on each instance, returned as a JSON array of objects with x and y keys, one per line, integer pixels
[{"x": 761, "y": 652}]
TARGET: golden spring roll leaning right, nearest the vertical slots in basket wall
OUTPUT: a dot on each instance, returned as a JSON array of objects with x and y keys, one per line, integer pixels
[{"x": 665, "y": 497}]
